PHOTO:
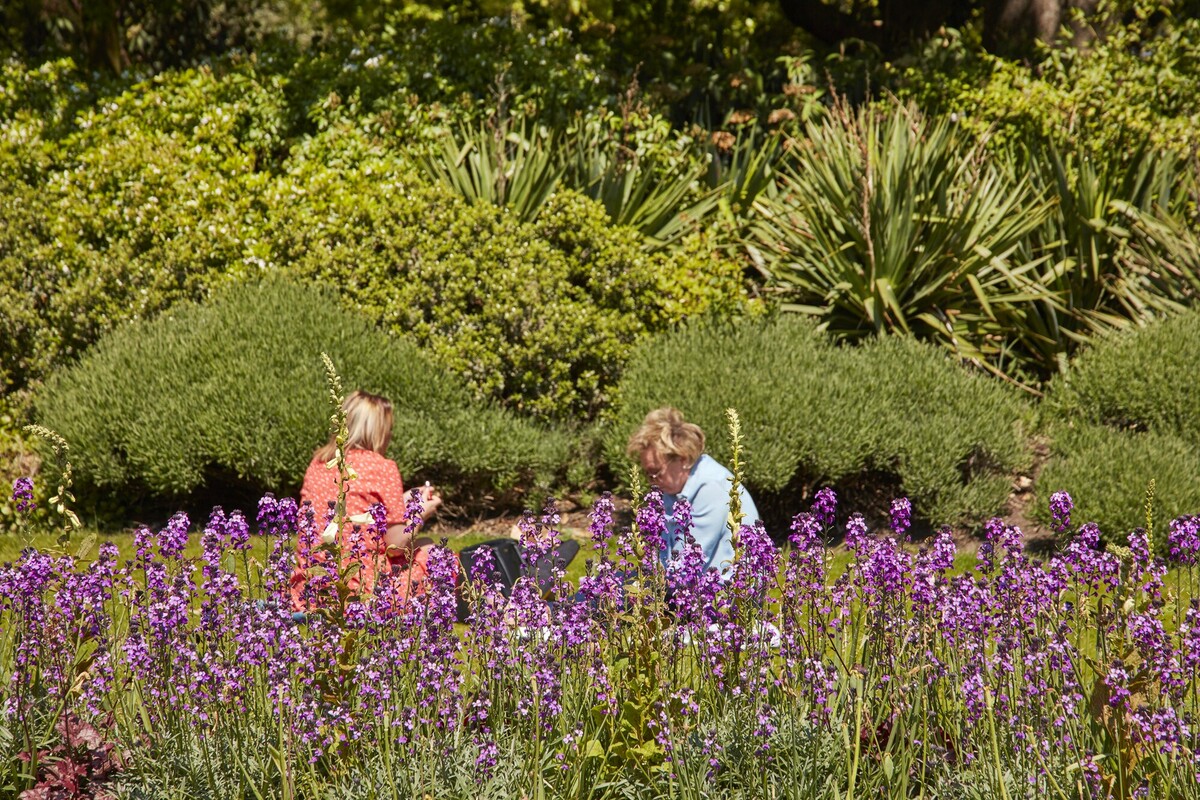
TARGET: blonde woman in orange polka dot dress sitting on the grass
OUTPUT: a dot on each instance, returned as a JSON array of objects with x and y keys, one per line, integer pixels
[{"x": 375, "y": 479}]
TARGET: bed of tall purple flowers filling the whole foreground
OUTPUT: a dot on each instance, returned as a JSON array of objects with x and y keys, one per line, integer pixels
[{"x": 895, "y": 678}]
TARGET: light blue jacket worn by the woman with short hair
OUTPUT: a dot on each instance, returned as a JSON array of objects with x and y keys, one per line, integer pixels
[{"x": 709, "y": 492}]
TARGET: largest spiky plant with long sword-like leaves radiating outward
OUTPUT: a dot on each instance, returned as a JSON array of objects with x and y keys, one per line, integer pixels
[{"x": 892, "y": 222}]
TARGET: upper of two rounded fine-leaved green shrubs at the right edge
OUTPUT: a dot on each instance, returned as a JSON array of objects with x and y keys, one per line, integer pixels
[{"x": 1139, "y": 381}]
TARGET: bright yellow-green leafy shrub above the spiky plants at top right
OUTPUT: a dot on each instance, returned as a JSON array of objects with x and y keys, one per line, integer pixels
[{"x": 1136, "y": 85}]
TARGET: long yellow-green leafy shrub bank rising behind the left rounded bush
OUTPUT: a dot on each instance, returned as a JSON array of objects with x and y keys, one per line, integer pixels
[{"x": 178, "y": 185}]
